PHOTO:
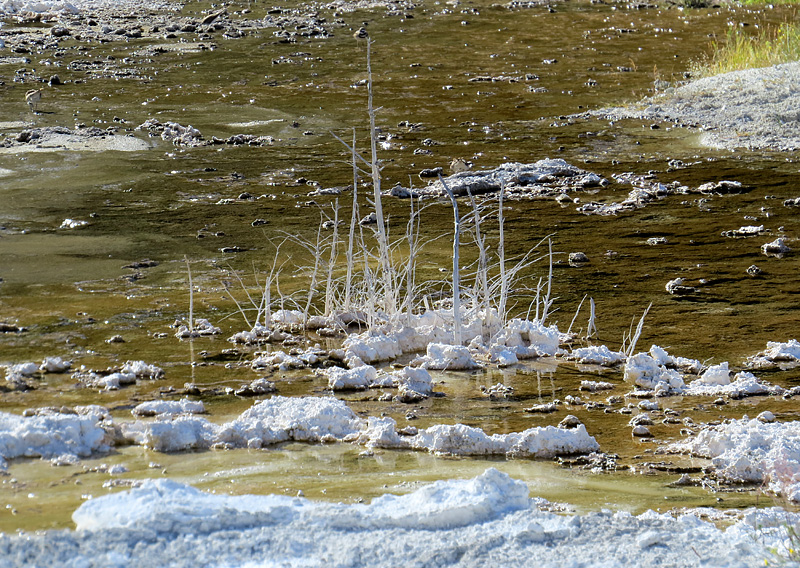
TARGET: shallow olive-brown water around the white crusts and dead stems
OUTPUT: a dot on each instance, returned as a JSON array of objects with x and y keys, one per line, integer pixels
[{"x": 68, "y": 287}]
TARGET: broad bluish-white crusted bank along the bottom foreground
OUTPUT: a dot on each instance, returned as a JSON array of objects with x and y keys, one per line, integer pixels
[{"x": 485, "y": 521}]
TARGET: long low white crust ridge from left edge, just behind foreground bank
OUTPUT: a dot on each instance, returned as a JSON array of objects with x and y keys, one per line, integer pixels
[{"x": 278, "y": 419}]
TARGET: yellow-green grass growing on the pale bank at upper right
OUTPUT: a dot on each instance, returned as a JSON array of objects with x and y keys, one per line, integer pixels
[{"x": 742, "y": 50}]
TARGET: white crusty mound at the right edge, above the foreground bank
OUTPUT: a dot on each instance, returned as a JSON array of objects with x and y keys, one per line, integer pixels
[{"x": 752, "y": 451}]
